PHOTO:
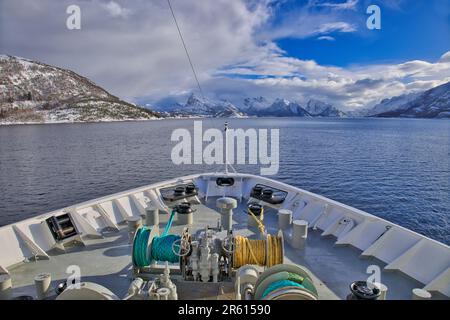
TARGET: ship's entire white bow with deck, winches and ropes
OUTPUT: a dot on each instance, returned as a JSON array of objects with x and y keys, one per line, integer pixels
[{"x": 223, "y": 235}]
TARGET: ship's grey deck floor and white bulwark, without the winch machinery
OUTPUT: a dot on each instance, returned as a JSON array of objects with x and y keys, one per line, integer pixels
[{"x": 334, "y": 256}]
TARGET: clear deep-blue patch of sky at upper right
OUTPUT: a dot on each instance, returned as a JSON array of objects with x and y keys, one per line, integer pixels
[{"x": 410, "y": 30}]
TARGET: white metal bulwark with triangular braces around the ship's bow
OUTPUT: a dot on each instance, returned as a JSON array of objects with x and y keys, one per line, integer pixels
[{"x": 419, "y": 257}]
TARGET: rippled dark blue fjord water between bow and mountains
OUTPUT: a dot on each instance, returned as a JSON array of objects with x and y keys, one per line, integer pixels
[{"x": 397, "y": 169}]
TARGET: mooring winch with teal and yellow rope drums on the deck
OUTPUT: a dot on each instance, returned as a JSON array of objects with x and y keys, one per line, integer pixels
[{"x": 211, "y": 254}]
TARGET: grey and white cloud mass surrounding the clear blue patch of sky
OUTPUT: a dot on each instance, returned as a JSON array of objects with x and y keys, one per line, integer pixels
[{"x": 140, "y": 57}]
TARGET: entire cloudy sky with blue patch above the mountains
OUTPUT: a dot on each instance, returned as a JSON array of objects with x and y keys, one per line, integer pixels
[{"x": 298, "y": 50}]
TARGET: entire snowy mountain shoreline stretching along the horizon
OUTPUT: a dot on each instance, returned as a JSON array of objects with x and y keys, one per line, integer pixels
[{"x": 34, "y": 92}]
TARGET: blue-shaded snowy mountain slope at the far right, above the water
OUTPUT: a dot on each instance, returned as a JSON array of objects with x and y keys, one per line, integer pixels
[{"x": 433, "y": 103}]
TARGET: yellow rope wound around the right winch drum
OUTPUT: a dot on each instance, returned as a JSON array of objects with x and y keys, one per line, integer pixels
[{"x": 267, "y": 252}]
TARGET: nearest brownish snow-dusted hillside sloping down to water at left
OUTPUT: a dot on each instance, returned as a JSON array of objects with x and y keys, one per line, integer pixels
[{"x": 35, "y": 92}]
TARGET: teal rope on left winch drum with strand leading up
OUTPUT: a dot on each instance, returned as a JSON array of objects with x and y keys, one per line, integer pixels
[{"x": 162, "y": 247}]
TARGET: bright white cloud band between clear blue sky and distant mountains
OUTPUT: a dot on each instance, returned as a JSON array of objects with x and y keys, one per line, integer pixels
[{"x": 348, "y": 88}]
